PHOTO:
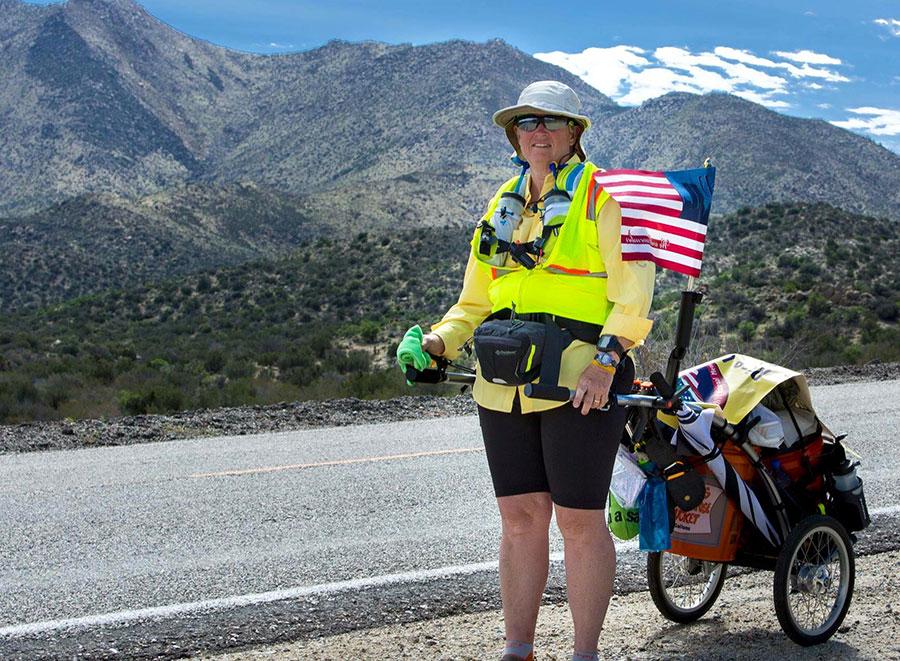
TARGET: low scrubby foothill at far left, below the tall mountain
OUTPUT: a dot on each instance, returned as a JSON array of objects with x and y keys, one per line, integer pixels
[{"x": 100, "y": 241}]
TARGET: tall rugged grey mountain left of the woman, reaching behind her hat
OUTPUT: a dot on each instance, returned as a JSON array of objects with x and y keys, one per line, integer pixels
[{"x": 100, "y": 96}]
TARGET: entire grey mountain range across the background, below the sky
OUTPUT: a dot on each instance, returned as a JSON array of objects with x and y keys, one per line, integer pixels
[{"x": 99, "y": 96}]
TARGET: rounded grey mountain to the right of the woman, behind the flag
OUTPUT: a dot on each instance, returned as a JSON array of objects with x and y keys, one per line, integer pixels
[{"x": 761, "y": 155}]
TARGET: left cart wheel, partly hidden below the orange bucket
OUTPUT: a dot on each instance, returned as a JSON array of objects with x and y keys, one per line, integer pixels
[{"x": 682, "y": 588}]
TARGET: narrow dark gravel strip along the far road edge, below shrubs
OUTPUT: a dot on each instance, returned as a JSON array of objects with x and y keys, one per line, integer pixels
[{"x": 71, "y": 434}]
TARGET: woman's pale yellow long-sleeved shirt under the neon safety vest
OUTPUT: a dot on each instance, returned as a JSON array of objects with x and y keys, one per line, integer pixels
[{"x": 629, "y": 287}]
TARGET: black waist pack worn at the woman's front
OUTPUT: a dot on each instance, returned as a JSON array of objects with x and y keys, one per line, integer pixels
[{"x": 509, "y": 351}]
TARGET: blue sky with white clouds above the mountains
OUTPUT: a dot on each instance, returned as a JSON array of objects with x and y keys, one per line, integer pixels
[{"x": 837, "y": 60}]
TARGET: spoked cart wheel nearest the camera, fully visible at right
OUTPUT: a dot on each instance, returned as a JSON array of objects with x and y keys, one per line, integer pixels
[{"x": 814, "y": 580}]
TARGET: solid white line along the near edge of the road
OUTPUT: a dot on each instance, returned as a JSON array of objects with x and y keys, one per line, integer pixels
[{"x": 160, "y": 612}]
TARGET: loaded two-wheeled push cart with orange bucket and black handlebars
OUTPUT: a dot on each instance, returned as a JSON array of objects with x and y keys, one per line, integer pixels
[{"x": 800, "y": 491}]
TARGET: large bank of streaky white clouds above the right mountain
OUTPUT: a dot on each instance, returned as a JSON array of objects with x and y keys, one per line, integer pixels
[{"x": 632, "y": 75}]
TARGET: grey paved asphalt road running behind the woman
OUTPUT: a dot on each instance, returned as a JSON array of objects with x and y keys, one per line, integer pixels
[{"x": 166, "y": 548}]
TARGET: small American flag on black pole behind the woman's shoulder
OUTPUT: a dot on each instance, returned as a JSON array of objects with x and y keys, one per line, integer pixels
[{"x": 664, "y": 214}]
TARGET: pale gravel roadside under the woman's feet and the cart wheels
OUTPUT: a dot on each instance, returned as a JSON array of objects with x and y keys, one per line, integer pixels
[{"x": 742, "y": 625}]
